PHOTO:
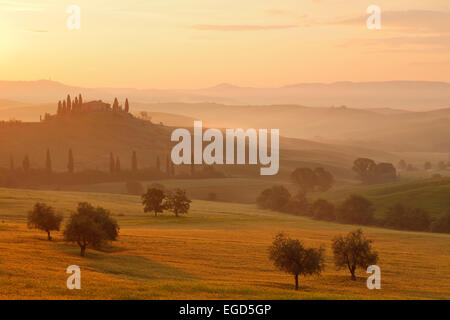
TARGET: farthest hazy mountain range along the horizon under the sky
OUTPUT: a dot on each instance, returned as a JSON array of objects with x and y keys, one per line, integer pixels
[{"x": 408, "y": 95}]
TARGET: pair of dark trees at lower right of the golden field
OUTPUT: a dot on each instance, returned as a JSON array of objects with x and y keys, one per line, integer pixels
[{"x": 352, "y": 251}]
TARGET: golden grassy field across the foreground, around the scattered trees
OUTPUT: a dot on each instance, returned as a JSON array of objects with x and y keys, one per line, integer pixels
[{"x": 218, "y": 251}]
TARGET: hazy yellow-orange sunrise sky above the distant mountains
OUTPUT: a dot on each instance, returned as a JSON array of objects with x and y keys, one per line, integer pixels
[{"x": 199, "y": 43}]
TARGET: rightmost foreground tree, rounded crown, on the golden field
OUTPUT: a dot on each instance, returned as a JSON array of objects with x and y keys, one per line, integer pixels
[{"x": 353, "y": 251}]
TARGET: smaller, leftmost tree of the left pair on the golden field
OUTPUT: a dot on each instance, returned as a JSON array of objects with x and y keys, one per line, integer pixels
[{"x": 43, "y": 217}]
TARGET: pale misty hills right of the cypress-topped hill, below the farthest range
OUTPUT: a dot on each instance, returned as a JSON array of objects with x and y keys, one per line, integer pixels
[{"x": 389, "y": 131}]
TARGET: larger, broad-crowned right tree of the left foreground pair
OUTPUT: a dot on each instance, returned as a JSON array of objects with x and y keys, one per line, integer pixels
[{"x": 91, "y": 226}]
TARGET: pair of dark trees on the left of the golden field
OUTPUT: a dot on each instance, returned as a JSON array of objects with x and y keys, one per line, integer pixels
[{"x": 88, "y": 226}]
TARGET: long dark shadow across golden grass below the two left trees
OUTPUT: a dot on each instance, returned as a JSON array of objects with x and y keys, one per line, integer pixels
[{"x": 128, "y": 266}]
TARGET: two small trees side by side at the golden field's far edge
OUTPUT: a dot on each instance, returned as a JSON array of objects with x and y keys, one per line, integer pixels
[{"x": 157, "y": 200}]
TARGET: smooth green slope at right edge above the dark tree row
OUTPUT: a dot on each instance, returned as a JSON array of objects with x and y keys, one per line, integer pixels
[{"x": 429, "y": 194}]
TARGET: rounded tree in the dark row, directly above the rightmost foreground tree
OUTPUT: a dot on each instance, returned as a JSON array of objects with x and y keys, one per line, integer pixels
[{"x": 355, "y": 210}]
